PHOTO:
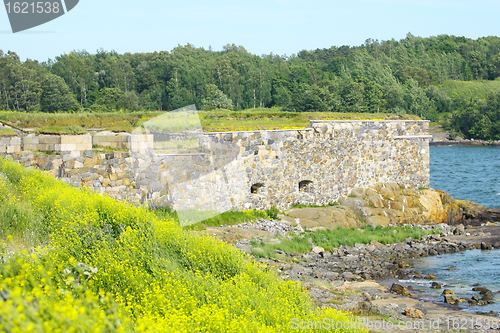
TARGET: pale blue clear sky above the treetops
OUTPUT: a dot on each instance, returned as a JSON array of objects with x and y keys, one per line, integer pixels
[{"x": 261, "y": 26}]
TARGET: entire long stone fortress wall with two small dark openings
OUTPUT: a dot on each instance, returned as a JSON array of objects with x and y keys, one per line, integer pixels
[{"x": 238, "y": 170}]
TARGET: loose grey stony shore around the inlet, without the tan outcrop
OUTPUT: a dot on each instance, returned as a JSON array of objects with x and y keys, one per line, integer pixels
[{"x": 346, "y": 278}]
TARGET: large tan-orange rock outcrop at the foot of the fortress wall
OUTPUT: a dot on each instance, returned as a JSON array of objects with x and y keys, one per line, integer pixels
[{"x": 388, "y": 203}]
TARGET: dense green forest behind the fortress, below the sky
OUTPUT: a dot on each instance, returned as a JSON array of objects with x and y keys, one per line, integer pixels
[{"x": 454, "y": 80}]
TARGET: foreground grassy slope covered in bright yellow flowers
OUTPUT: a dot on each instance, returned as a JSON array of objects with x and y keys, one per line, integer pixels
[{"x": 102, "y": 265}]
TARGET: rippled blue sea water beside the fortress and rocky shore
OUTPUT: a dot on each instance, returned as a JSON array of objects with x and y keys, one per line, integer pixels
[{"x": 468, "y": 173}]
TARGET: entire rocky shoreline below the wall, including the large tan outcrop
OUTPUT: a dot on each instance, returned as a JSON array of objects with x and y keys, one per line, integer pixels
[{"x": 348, "y": 278}]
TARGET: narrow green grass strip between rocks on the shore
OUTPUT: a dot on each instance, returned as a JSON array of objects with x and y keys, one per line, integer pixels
[{"x": 329, "y": 239}]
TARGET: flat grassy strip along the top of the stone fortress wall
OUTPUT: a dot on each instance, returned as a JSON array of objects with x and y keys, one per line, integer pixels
[{"x": 211, "y": 121}]
